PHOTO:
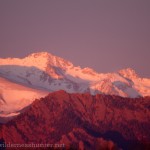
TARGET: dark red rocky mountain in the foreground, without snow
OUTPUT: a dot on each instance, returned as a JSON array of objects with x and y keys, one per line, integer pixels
[{"x": 83, "y": 121}]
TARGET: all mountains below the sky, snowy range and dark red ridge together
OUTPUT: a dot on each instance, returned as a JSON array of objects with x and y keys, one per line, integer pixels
[{"x": 45, "y": 99}]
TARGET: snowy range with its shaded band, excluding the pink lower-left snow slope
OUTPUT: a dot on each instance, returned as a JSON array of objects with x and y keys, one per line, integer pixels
[{"x": 49, "y": 72}]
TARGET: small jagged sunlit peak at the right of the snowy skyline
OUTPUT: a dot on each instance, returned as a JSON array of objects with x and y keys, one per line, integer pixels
[{"x": 128, "y": 72}]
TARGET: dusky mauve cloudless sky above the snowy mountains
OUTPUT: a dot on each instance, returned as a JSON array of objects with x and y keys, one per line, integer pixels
[{"x": 106, "y": 35}]
